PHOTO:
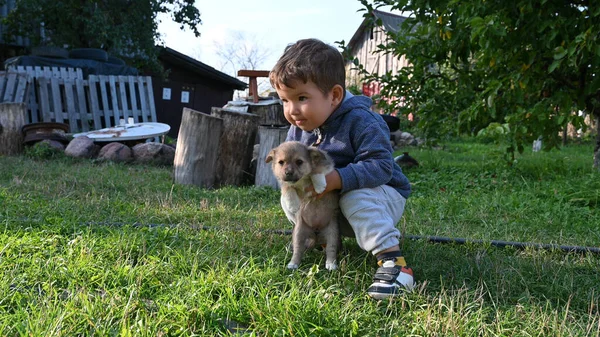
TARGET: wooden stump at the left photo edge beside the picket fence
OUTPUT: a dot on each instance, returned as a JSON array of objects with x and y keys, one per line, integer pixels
[{"x": 12, "y": 119}]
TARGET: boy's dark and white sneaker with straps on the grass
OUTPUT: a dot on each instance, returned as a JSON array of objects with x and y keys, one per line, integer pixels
[{"x": 391, "y": 280}]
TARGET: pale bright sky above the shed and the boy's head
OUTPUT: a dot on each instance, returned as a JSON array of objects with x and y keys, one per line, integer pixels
[{"x": 271, "y": 24}]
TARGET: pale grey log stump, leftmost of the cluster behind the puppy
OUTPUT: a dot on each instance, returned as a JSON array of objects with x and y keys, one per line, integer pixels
[{"x": 197, "y": 146}]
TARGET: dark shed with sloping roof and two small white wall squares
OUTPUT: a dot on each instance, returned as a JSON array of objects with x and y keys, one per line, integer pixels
[{"x": 189, "y": 84}]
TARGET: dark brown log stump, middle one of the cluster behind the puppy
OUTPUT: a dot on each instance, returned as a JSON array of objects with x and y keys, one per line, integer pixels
[{"x": 235, "y": 146}]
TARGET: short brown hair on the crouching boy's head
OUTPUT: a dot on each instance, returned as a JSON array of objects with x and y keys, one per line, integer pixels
[{"x": 310, "y": 60}]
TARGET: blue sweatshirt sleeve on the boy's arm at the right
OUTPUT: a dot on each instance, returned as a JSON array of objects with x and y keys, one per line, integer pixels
[{"x": 373, "y": 163}]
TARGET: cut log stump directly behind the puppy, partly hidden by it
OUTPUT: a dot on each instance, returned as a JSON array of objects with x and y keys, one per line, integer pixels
[{"x": 270, "y": 137}]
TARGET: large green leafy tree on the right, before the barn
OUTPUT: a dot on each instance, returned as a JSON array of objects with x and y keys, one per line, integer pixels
[{"x": 525, "y": 64}]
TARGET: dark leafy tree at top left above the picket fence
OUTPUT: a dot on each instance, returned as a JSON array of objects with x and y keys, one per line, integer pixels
[{"x": 126, "y": 28}]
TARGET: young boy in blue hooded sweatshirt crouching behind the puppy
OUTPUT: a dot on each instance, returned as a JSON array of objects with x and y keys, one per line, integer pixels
[{"x": 310, "y": 80}]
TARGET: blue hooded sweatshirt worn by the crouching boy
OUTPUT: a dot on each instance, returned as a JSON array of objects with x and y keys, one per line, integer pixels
[{"x": 358, "y": 141}]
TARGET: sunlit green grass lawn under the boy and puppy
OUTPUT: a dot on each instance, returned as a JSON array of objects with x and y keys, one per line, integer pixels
[{"x": 102, "y": 249}]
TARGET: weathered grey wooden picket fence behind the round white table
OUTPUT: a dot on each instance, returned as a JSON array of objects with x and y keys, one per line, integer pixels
[{"x": 62, "y": 95}]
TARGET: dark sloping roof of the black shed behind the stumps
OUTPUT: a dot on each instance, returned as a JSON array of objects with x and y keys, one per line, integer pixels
[{"x": 198, "y": 67}]
